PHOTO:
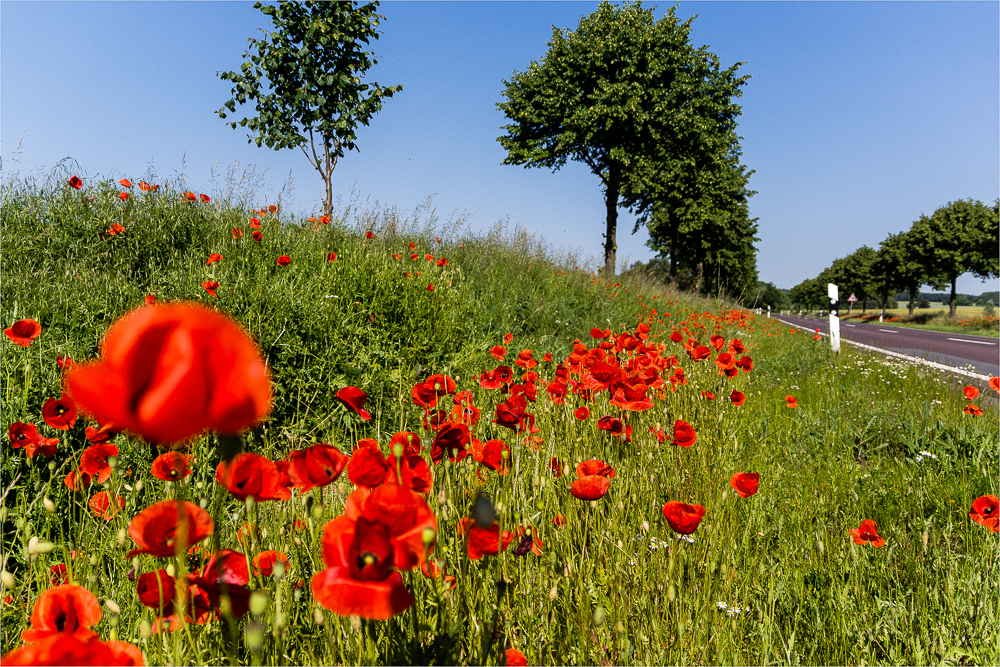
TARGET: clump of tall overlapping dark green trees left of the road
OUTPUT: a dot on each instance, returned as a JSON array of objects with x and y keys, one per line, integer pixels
[{"x": 650, "y": 115}]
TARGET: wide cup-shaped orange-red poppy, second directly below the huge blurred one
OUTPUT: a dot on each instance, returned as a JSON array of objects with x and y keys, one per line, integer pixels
[{"x": 155, "y": 529}]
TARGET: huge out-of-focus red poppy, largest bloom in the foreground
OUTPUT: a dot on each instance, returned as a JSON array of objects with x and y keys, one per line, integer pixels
[{"x": 170, "y": 372}]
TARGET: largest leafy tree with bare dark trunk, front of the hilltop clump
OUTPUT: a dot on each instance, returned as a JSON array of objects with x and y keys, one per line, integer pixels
[{"x": 628, "y": 96}]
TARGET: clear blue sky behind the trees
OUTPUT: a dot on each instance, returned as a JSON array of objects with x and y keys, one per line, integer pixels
[{"x": 859, "y": 116}]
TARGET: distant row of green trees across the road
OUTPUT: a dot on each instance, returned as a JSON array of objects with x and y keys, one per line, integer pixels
[{"x": 961, "y": 237}]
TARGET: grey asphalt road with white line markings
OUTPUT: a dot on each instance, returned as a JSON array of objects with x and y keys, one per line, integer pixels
[{"x": 945, "y": 348}]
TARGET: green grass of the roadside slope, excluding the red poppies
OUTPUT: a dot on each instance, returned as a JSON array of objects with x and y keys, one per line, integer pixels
[{"x": 615, "y": 585}]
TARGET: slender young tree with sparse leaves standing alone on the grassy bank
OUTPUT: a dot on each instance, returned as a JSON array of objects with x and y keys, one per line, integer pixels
[{"x": 306, "y": 78}]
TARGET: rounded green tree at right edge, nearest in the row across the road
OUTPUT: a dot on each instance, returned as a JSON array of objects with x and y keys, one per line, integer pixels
[{"x": 961, "y": 237}]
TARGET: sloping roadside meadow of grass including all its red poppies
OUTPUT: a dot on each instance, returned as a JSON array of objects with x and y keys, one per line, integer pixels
[{"x": 466, "y": 448}]
